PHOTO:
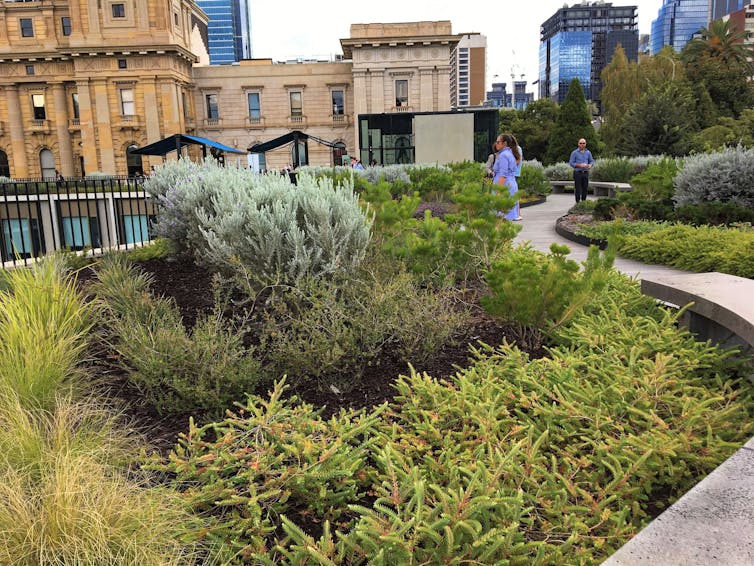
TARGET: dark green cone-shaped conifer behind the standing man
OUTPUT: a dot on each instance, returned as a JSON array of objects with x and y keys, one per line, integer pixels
[{"x": 574, "y": 122}]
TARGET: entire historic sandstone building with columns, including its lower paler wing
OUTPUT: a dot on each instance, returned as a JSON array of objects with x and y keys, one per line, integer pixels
[{"x": 83, "y": 82}]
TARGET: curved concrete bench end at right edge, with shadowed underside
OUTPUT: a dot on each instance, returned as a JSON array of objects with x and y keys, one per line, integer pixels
[{"x": 722, "y": 309}]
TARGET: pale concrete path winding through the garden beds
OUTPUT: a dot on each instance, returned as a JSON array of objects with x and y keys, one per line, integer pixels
[{"x": 538, "y": 227}]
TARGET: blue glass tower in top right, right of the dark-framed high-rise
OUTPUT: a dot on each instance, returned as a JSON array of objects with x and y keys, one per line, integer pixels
[{"x": 677, "y": 21}]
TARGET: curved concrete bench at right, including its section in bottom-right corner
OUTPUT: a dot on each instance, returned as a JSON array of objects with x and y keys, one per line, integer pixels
[{"x": 713, "y": 523}]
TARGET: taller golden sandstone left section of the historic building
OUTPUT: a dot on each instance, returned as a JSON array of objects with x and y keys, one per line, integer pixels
[{"x": 83, "y": 82}]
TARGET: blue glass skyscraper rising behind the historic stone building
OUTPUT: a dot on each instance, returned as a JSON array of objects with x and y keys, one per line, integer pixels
[{"x": 229, "y": 30}]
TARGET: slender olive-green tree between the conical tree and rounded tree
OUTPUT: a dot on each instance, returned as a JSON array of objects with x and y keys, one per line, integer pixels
[{"x": 621, "y": 87}]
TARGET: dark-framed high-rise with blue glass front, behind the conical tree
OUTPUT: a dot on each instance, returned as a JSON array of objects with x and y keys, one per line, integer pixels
[{"x": 578, "y": 42}]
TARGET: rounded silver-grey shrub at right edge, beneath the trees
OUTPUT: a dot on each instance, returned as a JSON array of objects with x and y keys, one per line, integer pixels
[{"x": 723, "y": 176}]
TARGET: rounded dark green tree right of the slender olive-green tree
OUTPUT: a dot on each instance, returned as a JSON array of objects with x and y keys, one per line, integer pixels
[{"x": 661, "y": 122}]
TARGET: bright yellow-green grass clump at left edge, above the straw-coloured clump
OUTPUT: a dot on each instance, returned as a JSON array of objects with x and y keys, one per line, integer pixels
[{"x": 43, "y": 333}]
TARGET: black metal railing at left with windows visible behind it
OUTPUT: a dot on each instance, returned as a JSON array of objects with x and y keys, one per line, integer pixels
[{"x": 89, "y": 215}]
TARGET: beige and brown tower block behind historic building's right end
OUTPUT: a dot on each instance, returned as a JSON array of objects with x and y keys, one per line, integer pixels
[{"x": 468, "y": 63}]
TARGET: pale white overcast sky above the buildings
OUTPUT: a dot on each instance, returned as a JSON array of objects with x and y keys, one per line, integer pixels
[{"x": 290, "y": 29}]
